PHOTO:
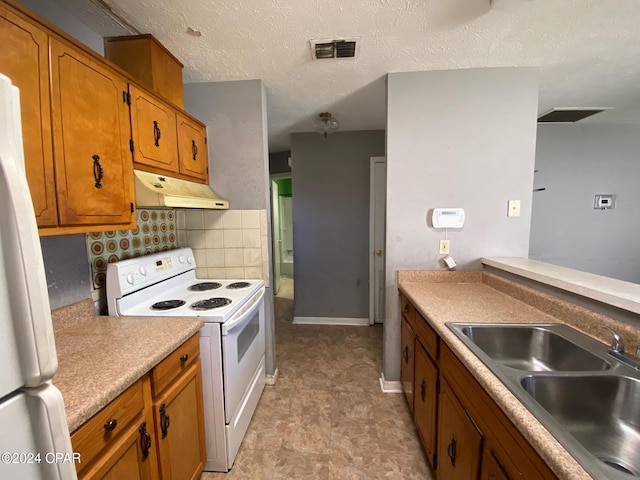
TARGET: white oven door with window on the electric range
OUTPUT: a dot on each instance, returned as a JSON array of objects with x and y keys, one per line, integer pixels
[{"x": 243, "y": 347}]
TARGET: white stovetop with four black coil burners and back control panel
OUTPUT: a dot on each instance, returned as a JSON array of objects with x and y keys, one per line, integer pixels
[{"x": 165, "y": 285}]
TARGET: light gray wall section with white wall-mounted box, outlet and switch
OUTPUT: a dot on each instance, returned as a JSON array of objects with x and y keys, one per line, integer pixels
[{"x": 456, "y": 138}]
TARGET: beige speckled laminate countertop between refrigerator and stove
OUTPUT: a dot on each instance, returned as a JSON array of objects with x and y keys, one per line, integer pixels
[{"x": 99, "y": 357}]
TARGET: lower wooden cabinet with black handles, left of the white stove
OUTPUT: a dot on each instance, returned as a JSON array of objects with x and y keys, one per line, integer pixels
[{"x": 143, "y": 436}]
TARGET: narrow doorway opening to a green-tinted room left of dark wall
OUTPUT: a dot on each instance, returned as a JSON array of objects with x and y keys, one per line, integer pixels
[{"x": 282, "y": 215}]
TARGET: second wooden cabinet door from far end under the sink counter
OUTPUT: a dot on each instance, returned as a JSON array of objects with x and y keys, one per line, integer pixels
[{"x": 425, "y": 400}]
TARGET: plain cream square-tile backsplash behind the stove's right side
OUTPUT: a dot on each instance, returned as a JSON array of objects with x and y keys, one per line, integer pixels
[{"x": 226, "y": 243}]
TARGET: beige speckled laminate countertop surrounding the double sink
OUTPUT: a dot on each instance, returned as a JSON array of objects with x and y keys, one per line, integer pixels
[{"x": 469, "y": 300}]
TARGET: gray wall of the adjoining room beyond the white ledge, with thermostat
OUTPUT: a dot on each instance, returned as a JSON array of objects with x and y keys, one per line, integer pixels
[{"x": 574, "y": 163}]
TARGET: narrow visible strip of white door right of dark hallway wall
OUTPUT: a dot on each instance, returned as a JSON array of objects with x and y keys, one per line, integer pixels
[{"x": 377, "y": 227}]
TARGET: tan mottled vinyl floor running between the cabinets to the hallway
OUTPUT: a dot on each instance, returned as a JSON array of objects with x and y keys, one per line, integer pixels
[{"x": 327, "y": 418}]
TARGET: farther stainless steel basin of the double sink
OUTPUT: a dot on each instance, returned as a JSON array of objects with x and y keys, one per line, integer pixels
[{"x": 532, "y": 347}]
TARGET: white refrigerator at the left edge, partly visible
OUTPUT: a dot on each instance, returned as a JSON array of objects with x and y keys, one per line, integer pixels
[{"x": 34, "y": 436}]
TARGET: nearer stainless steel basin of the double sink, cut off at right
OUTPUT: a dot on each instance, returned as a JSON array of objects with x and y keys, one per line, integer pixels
[{"x": 601, "y": 412}]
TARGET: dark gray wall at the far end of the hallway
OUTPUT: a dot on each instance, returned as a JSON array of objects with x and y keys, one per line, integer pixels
[{"x": 331, "y": 222}]
